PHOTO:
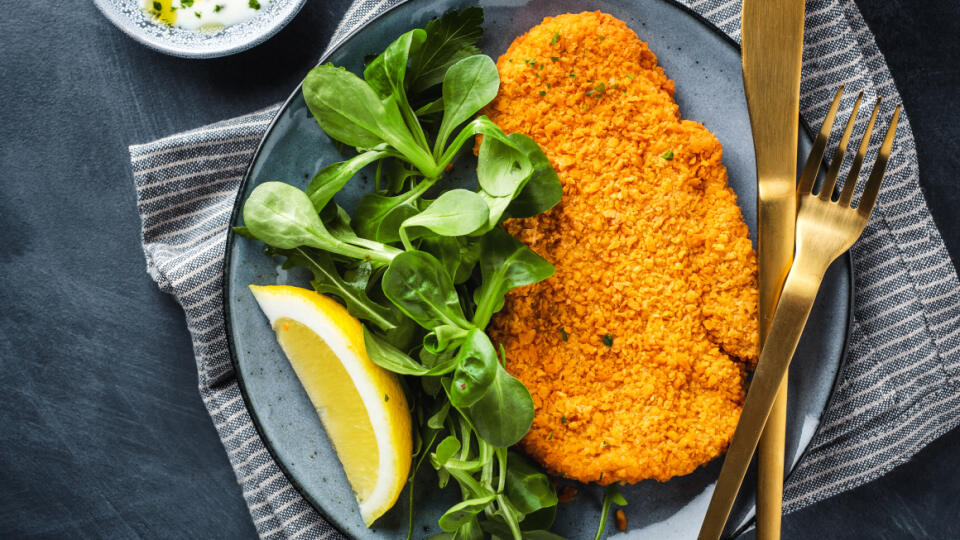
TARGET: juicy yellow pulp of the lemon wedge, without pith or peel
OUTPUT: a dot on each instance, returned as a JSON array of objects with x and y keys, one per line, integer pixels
[{"x": 330, "y": 388}]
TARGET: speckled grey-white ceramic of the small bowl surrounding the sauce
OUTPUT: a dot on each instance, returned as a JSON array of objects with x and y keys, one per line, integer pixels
[{"x": 130, "y": 17}]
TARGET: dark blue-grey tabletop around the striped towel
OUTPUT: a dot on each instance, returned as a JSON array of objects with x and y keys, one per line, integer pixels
[{"x": 102, "y": 432}]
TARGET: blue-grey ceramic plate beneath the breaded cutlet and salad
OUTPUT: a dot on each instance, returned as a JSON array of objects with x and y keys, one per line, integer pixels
[{"x": 706, "y": 68}]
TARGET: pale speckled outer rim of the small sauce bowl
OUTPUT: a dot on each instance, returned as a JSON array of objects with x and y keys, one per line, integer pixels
[{"x": 267, "y": 31}]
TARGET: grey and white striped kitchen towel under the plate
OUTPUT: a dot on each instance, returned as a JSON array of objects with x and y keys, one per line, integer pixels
[{"x": 898, "y": 389}]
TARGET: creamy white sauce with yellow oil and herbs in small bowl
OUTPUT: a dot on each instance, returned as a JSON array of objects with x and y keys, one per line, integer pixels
[{"x": 203, "y": 15}]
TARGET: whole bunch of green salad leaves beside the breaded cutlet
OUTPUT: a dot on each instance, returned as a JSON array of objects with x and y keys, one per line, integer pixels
[{"x": 426, "y": 275}]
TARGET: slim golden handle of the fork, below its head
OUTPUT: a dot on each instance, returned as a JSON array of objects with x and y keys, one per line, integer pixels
[{"x": 796, "y": 300}]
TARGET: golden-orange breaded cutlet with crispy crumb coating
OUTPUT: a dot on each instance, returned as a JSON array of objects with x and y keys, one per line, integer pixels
[{"x": 631, "y": 350}]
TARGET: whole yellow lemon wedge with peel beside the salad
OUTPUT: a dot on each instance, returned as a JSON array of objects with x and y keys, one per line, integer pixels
[{"x": 361, "y": 405}]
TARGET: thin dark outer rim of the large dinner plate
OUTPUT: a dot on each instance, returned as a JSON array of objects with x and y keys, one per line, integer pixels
[{"x": 847, "y": 259}]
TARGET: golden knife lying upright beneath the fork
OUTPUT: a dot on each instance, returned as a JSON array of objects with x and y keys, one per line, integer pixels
[{"x": 771, "y": 33}]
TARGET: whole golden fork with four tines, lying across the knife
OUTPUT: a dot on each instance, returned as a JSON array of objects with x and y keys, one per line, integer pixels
[{"x": 825, "y": 230}]
